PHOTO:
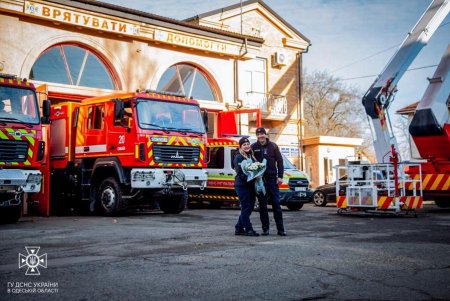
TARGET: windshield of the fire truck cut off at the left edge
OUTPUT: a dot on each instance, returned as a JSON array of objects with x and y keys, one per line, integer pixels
[{"x": 18, "y": 105}]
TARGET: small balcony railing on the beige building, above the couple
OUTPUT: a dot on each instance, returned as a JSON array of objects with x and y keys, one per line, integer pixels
[{"x": 268, "y": 103}]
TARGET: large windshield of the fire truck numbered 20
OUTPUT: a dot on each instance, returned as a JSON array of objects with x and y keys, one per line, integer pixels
[{"x": 173, "y": 116}]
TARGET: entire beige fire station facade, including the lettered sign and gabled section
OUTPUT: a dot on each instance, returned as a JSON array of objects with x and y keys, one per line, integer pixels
[{"x": 138, "y": 60}]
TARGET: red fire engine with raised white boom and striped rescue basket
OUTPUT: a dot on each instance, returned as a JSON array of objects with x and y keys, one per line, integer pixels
[{"x": 391, "y": 186}]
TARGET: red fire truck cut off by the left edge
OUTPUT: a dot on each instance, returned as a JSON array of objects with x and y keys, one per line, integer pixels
[{"x": 21, "y": 144}]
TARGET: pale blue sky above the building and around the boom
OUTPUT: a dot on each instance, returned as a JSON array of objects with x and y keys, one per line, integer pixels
[{"x": 343, "y": 34}]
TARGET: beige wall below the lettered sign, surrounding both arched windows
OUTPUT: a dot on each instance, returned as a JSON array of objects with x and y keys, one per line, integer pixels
[{"x": 136, "y": 64}]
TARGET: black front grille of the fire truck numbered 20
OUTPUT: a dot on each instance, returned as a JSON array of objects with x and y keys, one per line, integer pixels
[{"x": 176, "y": 154}]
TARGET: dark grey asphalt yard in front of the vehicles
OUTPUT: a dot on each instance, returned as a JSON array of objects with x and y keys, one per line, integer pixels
[{"x": 148, "y": 255}]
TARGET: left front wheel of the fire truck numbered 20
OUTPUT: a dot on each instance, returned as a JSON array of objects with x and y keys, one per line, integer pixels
[{"x": 109, "y": 198}]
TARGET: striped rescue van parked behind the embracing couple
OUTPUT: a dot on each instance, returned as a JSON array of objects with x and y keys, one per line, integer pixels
[{"x": 294, "y": 191}]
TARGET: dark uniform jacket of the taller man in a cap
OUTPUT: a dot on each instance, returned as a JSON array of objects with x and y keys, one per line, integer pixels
[{"x": 272, "y": 154}]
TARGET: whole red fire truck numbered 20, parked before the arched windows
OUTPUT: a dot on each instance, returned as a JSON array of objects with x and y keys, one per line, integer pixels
[{"x": 116, "y": 150}]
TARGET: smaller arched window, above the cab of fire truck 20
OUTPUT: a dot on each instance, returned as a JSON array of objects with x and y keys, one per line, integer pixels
[{"x": 189, "y": 81}]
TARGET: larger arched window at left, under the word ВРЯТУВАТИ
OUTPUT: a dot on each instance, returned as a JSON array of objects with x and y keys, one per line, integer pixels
[{"x": 72, "y": 65}]
